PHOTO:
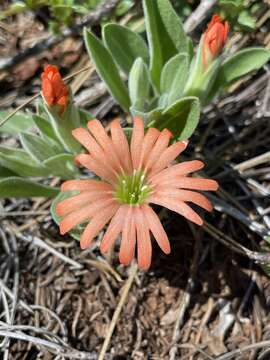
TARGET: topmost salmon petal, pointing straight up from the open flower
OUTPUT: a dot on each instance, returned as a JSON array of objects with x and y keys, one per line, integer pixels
[{"x": 136, "y": 141}]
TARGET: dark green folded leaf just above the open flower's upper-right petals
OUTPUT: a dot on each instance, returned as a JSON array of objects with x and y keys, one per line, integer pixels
[{"x": 181, "y": 118}]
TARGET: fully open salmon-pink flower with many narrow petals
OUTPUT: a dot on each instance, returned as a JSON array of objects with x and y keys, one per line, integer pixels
[{"x": 133, "y": 176}]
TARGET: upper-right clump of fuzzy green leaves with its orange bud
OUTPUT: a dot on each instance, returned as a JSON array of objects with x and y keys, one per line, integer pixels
[{"x": 167, "y": 81}]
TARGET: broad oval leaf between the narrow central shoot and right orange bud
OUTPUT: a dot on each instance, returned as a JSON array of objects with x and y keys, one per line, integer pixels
[{"x": 174, "y": 76}]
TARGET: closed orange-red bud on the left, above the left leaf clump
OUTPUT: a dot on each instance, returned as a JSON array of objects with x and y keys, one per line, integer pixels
[{"x": 54, "y": 89}]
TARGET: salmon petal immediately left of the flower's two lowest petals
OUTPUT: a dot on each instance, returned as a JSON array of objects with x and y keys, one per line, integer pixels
[{"x": 114, "y": 229}]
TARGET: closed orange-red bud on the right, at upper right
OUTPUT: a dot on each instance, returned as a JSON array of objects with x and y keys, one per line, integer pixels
[{"x": 214, "y": 40}]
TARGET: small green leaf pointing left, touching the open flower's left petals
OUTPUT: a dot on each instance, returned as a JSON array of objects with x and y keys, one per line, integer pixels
[{"x": 62, "y": 165}]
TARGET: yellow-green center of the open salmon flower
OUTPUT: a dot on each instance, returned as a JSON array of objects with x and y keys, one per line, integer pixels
[{"x": 132, "y": 189}]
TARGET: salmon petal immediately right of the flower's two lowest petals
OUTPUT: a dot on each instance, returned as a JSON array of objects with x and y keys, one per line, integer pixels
[{"x": 156, "y": 228}]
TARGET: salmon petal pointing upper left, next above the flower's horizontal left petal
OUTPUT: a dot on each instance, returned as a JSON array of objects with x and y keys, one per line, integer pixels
[{"x": 97, "y": 167}]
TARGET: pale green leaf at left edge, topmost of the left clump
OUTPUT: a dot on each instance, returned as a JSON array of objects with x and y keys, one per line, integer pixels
[{"x": 17, "y": 123}]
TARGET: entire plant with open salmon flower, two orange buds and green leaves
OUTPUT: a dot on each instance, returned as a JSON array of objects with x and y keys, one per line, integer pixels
[{"x": 163, "y": 85}]
